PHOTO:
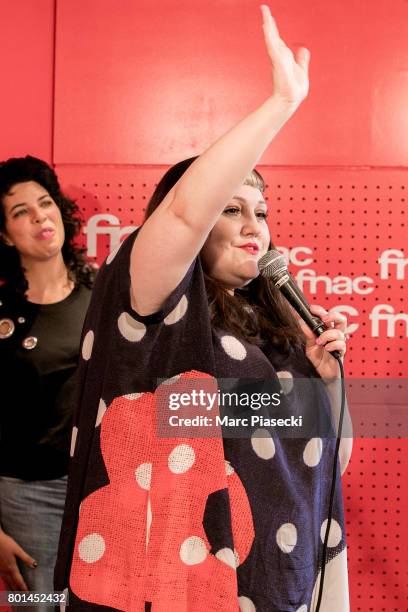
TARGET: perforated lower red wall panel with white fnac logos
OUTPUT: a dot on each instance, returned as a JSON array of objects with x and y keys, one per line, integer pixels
[{"x": 333, "y": 223}]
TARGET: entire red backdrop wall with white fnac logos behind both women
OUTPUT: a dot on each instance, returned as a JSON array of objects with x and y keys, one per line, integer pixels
[{"x": 112, "y": 93}]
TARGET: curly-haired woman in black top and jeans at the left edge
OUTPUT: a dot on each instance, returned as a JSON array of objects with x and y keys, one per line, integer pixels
[{"x": 45, "y": 292}]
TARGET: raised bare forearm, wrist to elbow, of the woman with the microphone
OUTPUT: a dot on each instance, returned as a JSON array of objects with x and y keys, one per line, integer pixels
[{"x": 211, "y": 180}]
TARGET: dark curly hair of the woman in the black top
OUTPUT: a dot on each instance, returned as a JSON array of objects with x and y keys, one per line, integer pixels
[{"x": 23, "y": 169}]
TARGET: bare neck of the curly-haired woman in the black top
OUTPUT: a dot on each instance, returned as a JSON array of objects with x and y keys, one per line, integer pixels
[{"x": 48, "y": 280}]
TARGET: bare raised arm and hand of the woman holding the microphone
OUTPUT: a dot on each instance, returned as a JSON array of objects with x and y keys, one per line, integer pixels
[{"x": 175, "y": 233}]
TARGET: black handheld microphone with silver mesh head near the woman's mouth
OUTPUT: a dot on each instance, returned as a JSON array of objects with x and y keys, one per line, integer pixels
[{"x": 273, "y": 265}]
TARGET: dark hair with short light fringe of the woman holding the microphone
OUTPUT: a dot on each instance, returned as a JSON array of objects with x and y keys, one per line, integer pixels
[{"x": 257, "y": 311}]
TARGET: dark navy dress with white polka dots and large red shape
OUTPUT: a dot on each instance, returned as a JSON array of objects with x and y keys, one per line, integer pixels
[{"x": 170, "y": 522}]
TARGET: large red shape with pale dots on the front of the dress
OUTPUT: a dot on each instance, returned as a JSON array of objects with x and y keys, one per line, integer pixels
[{"x": 113, "y": 565}]
